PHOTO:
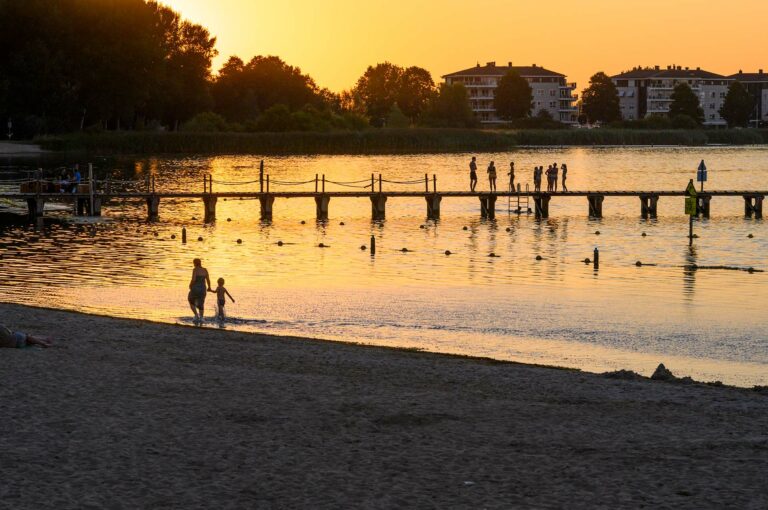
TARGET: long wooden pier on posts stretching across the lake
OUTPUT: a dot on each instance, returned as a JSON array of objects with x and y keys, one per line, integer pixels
[{"x": 90, "y": 200}]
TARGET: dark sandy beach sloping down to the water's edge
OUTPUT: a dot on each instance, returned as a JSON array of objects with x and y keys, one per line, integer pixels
[{"x": 130, "y": 414}]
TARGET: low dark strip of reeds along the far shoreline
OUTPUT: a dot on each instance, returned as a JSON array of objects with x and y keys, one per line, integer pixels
[{"x": 385, "y": 141}]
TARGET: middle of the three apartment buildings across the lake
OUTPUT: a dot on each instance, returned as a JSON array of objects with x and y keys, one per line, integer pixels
[{"x": 645, "y": 91}]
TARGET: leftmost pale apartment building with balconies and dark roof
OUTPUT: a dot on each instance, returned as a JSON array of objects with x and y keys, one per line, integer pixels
[{"x": 551, "y": 91}]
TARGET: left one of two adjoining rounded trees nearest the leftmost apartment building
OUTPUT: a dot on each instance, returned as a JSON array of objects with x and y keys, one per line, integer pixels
[{"x": 378, "y": 89}]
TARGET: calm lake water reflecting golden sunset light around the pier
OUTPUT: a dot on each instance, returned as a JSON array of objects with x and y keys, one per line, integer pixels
[{"x": 708, "y": 323}]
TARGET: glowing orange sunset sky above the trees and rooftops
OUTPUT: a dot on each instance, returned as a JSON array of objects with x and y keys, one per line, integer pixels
[{"x": 335, "y": 40}]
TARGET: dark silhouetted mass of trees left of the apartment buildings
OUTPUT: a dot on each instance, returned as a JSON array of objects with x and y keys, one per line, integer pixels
[{"x": 110, "y": 65}]
